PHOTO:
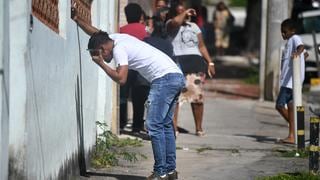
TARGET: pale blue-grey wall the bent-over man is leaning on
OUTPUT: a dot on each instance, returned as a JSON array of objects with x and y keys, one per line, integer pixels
[{"x": 55, "y": 97}]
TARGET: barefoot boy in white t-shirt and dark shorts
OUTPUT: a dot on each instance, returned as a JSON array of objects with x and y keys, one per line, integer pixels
[{"x": 294, "y": 47}]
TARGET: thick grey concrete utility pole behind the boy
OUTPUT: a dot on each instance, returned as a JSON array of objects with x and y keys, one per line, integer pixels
[{"x": 278, "y": 10}]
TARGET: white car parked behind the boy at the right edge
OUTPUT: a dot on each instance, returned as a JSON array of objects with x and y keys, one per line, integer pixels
[{"x": 309, "y": 25}]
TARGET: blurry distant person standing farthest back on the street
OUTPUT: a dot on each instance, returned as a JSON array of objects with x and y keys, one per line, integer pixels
[{"x": 223, "y": 22}]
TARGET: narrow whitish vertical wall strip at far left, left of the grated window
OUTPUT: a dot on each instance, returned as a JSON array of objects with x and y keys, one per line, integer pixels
[{"x": 19, "y": 19}]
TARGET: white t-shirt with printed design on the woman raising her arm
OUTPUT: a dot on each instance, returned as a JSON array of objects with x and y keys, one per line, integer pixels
[{"x": 186, "y": 41}]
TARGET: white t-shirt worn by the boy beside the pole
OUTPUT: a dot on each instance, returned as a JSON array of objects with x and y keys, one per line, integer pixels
[{"x": 287, "y": 62}]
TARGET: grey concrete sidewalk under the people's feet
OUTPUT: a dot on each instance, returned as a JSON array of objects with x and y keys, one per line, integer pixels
[{"x": 239, "y": 144}]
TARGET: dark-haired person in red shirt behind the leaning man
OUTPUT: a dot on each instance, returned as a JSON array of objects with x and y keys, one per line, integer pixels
[{"x": 138, "y": 86}]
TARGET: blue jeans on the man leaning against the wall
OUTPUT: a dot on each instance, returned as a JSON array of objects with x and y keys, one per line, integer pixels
[{"x": 161, "y": 103}]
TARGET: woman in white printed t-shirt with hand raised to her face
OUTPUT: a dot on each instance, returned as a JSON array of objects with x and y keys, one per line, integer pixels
[{"x": 192, "y": 56}]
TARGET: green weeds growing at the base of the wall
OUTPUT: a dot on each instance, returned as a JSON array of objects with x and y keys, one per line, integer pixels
[{"x": 110, "y": 149}]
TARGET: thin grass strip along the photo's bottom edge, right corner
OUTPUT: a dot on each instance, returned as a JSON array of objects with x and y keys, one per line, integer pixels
[{"x": 292, "y": 176}]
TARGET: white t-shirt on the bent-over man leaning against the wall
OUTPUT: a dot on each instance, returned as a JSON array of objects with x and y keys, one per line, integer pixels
[{"x": 150, "y": 62}]
